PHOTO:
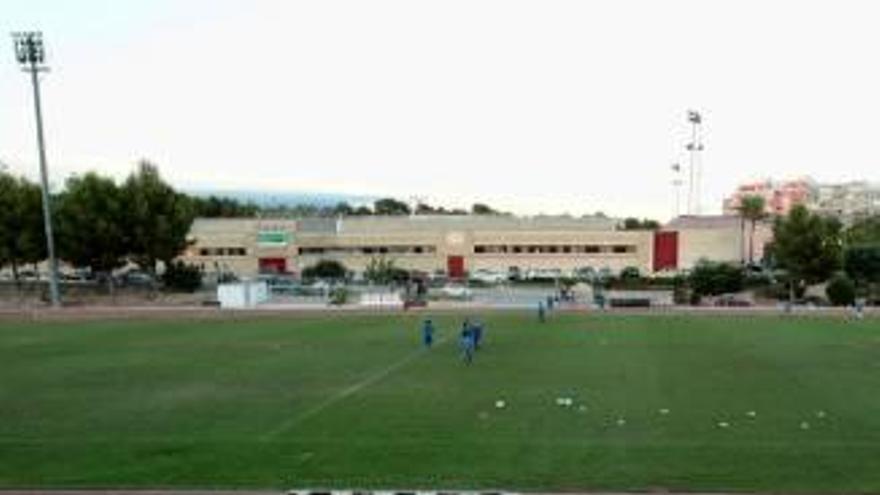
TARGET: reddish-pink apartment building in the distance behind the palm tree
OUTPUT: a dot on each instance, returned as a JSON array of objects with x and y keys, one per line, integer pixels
[{"x": 779, "y": 196}]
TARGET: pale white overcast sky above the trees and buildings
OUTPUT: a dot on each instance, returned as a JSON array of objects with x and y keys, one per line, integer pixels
[{"x": 530, "y": 106}]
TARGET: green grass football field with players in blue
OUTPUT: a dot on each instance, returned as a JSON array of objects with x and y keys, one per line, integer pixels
[{"x": 352, "y": 402}]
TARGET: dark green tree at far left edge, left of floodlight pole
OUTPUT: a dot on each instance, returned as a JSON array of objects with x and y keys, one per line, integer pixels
[{"x": 22, "y": 234}]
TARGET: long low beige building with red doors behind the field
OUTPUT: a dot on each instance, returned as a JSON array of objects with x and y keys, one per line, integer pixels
[{"x": 457, "y": 245}]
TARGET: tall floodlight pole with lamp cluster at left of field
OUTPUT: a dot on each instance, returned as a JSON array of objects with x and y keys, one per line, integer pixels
[{"x": 31, "y": 54}]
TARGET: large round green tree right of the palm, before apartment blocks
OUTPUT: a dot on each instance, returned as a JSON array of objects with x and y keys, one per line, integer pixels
[{"x": 807, "y": 246}]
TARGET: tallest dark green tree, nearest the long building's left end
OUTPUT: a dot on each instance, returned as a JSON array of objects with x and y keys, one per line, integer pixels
[{"x": 157, "y": 217}]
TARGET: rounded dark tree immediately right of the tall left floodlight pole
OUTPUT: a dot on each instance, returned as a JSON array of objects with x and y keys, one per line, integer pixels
[{"x": 92, "y": 224}]
